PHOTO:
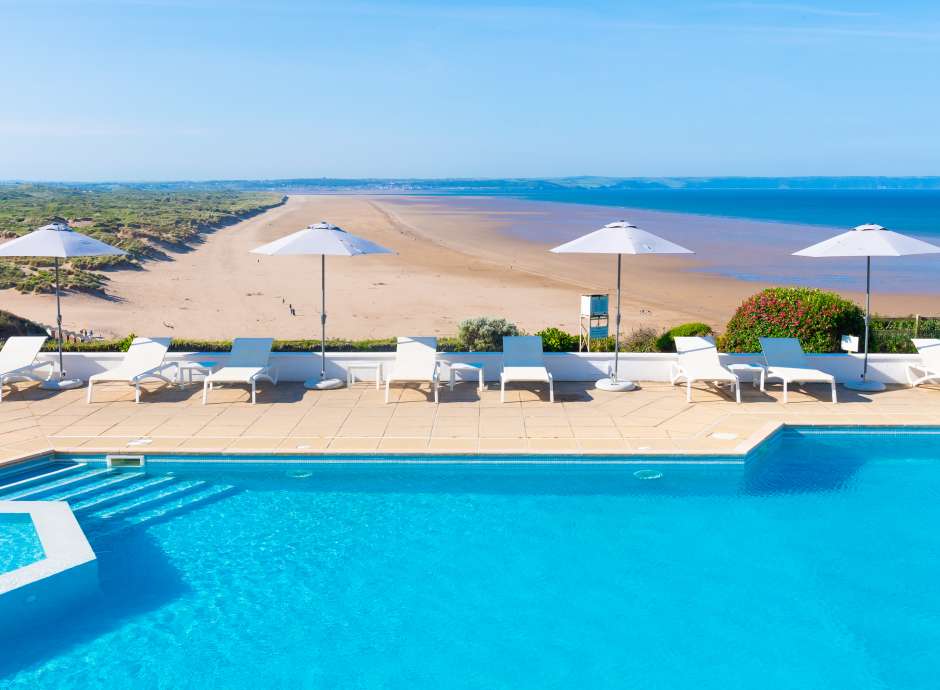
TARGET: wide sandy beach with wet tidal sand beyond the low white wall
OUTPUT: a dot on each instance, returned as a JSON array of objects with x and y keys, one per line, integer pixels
[{"x": 455, "y": 258}]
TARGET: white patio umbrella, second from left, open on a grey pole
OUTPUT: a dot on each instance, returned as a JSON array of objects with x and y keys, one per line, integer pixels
[{"x": 326, "y": 240}]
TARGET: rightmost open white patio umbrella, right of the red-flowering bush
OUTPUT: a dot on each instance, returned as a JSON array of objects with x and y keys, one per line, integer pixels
[{"x": 868, "y": 241}]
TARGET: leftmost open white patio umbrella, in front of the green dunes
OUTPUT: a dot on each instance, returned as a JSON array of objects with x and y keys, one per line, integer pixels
[{"x": 59, "y": 241}]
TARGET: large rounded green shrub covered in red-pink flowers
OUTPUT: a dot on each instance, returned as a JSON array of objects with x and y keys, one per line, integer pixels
[{"x": 816, "y": 317}]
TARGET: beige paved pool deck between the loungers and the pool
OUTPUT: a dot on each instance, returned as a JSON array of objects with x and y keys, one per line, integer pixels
[{"x": 655, "y": 419}]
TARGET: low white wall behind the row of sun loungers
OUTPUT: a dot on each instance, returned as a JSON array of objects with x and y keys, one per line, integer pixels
[{"x": 565, "y": 366}]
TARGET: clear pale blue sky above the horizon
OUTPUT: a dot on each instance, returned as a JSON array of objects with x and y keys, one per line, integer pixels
[{"x": 171, "y": 89}]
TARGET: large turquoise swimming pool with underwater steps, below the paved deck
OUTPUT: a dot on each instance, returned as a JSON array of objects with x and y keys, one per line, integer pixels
[{"x": 813, "y": 565}]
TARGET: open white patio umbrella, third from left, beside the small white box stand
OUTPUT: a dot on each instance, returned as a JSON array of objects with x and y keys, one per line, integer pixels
[{"x": 619, "y": 238}]
